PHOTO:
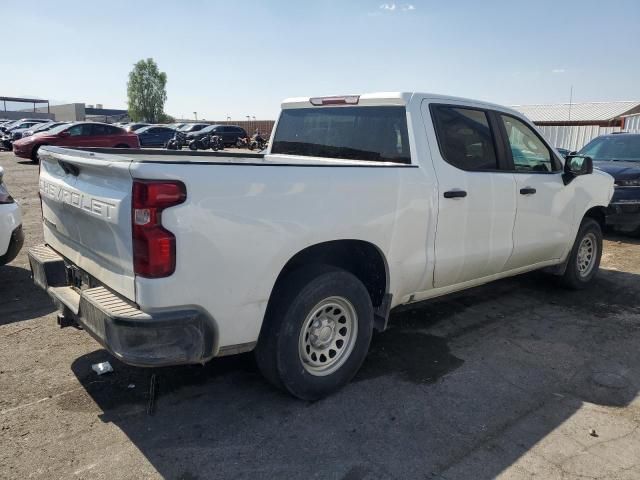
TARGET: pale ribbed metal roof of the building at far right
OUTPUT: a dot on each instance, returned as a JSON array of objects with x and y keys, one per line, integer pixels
[{"x": 579, "y": 112}]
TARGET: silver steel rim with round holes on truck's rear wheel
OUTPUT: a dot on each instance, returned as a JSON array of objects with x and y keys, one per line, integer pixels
[{"x": 328, "y": 336}]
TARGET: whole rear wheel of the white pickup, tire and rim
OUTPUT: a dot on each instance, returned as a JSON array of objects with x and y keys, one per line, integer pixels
[{"x": 317, "y": 334}]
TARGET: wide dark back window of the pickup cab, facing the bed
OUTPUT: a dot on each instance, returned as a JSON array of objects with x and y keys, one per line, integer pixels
[{"x": 376, "y": 134}]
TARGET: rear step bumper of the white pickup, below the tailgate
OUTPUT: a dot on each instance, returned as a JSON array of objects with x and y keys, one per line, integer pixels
[{"x": 174, "y": 337}]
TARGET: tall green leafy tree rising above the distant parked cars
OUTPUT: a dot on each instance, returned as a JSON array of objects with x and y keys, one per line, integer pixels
[{"x": 146, "y": 91}]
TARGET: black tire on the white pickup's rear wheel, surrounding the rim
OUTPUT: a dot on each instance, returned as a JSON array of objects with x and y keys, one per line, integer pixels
[{"x": 278, "y": 352}]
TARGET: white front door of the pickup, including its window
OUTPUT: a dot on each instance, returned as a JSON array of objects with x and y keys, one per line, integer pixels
[{"x": 543, "y": 226}]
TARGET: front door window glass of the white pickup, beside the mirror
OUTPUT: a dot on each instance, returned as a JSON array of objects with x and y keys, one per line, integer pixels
[{"x": 529, "y": 153}]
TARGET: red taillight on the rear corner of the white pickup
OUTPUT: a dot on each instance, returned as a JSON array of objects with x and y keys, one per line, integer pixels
[{"x": 154, "y": 247}]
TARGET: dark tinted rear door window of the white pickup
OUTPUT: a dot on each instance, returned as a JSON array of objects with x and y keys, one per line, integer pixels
[{"x": 465, "y": 138}]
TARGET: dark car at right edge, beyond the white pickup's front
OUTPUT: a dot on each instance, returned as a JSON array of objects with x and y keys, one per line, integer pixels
[{"x": 619, "y": 156}]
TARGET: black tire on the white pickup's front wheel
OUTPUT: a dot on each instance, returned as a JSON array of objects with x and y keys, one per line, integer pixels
[{"x": 574, "y": 276}]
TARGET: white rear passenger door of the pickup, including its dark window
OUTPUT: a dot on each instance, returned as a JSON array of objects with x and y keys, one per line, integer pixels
[{"x": 476, "y": 199}]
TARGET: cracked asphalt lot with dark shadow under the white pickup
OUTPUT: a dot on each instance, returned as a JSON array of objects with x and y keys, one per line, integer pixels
[{"x": 507, "y": 380}]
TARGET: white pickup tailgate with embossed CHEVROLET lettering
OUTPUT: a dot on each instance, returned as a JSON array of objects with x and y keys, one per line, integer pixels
[{"x": 86, "y": 208}]
